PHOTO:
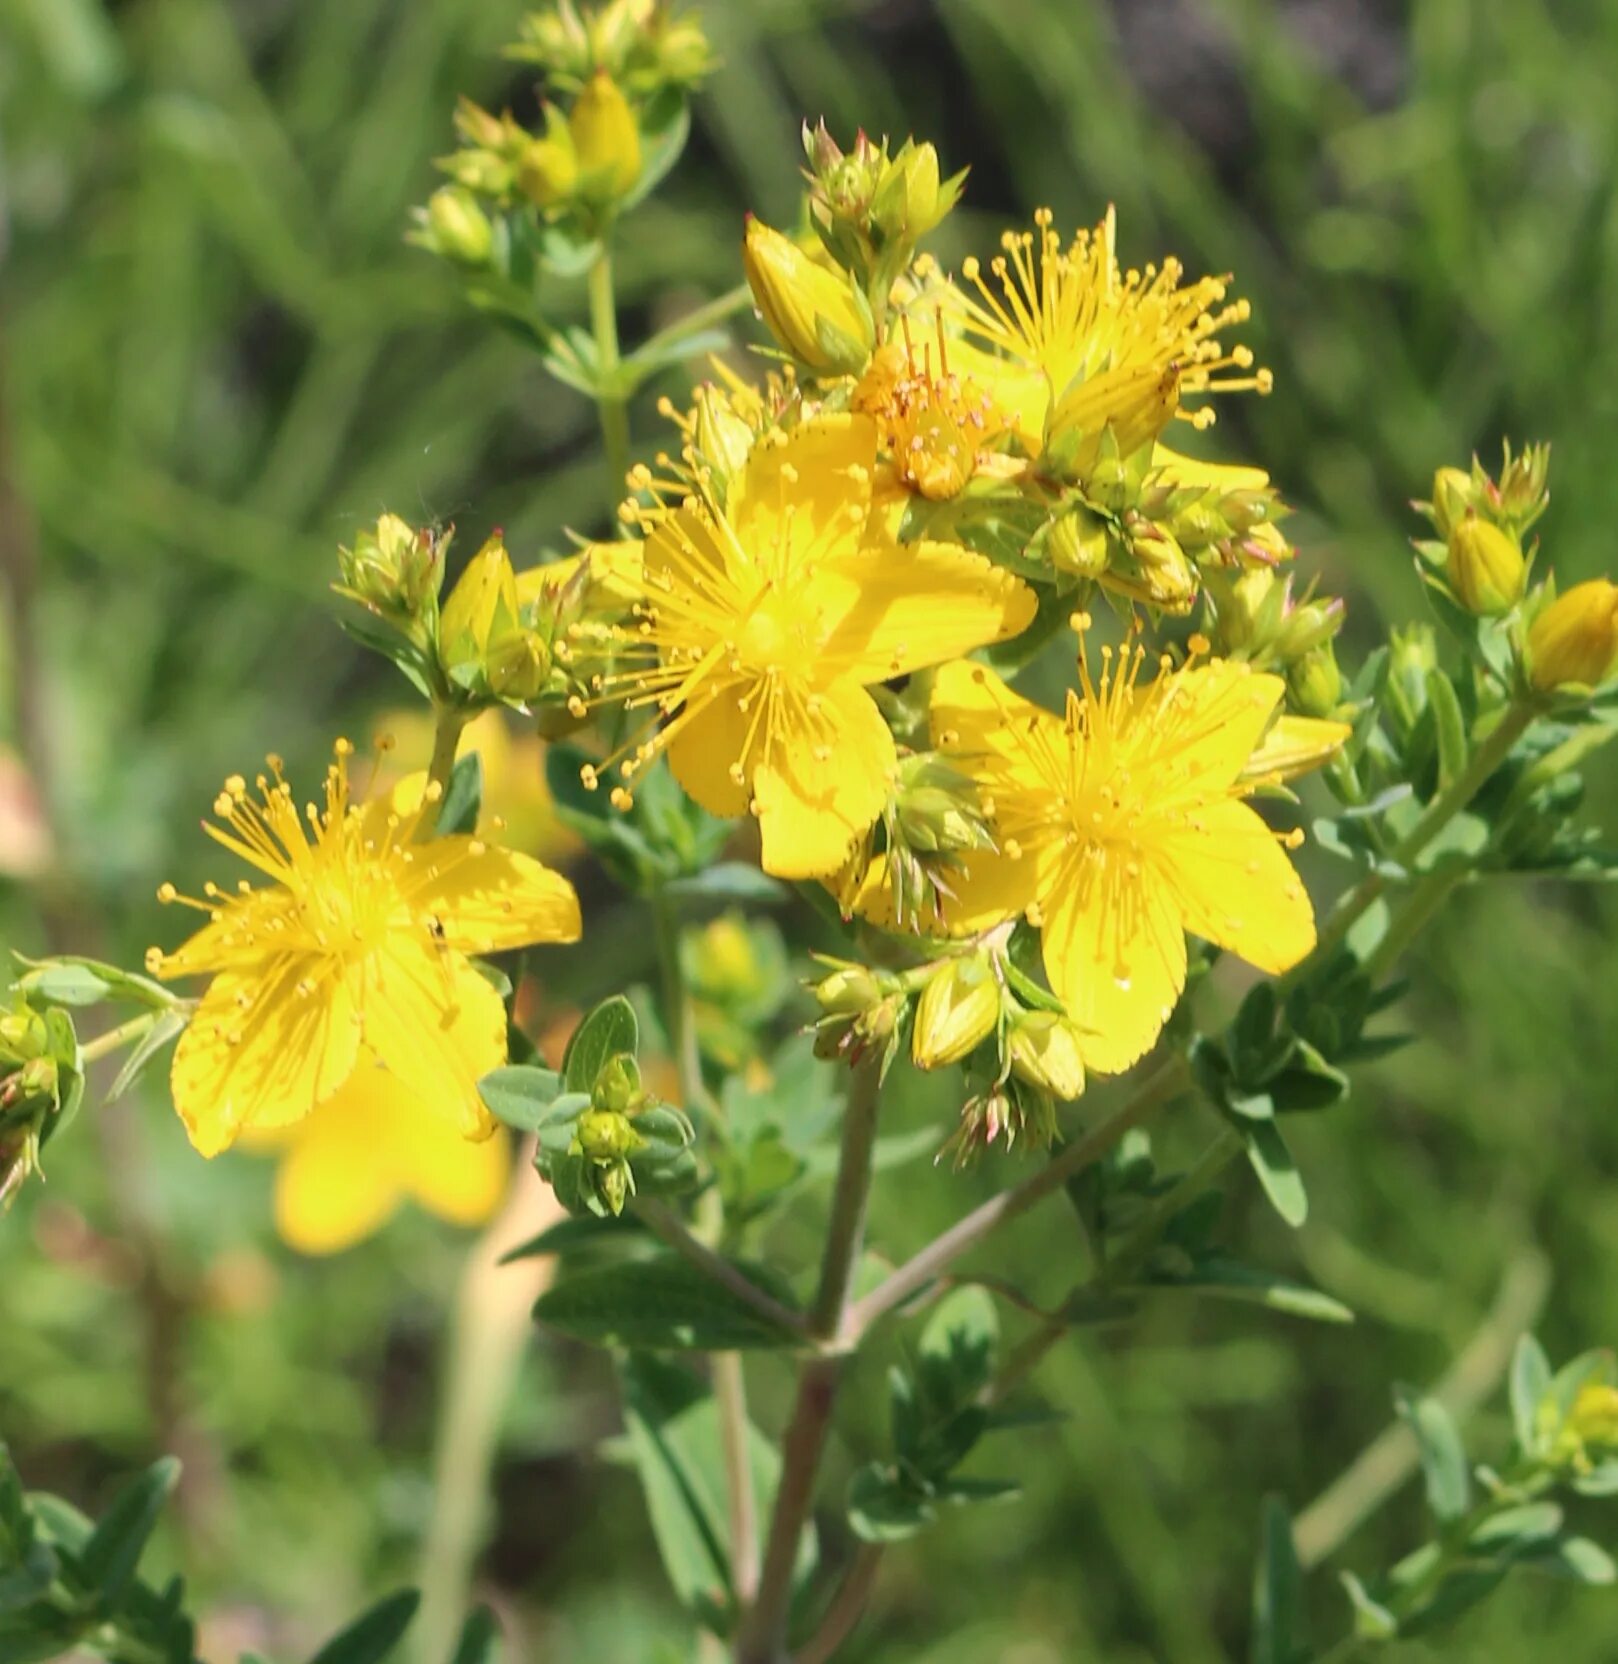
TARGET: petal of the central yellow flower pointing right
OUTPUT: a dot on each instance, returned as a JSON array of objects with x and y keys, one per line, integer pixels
[{"x": 913, "y": 605}]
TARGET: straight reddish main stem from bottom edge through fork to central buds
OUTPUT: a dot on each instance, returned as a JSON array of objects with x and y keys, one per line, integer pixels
[{"x": 763, "y": 1632}]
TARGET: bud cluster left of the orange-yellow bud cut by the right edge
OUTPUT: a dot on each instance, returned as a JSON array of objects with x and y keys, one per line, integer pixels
[{"x": 1479, "y": 558}]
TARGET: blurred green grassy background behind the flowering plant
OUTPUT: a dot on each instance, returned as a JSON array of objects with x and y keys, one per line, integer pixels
[{"x": 219, "y": 359}]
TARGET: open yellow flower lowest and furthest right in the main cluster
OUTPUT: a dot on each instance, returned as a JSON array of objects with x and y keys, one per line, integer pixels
[{"x": 1121, "y": 830}]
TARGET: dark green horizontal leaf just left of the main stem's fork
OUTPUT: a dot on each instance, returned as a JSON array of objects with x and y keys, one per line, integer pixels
[{"x": 662, "y": 1305}]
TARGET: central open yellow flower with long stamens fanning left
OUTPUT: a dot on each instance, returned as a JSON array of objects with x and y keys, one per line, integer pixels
[{"x": 765, "y": 625}]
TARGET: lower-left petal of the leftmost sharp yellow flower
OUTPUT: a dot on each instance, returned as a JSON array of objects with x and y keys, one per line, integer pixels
[{"x": 262, "y": 1052}]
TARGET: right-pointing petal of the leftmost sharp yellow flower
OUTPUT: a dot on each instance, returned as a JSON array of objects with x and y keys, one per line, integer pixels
[{"x": 487, "y": 898}]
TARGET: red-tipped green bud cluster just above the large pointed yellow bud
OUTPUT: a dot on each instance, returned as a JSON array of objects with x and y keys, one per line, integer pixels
[{"x": 873, "y": 209}]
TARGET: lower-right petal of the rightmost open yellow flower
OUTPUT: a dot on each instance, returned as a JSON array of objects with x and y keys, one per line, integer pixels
[{"x": 1238, "y": 889}]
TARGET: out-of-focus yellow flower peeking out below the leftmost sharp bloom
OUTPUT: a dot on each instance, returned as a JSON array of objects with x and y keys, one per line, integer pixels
[{"x": 374, "y": 1146}]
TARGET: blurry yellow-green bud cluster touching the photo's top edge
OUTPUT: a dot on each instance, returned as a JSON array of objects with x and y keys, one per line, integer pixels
[{"x": 645, "y": 46}]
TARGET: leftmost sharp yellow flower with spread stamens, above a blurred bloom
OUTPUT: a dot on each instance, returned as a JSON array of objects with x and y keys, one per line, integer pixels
[{"x": 357, "y": 949}]
